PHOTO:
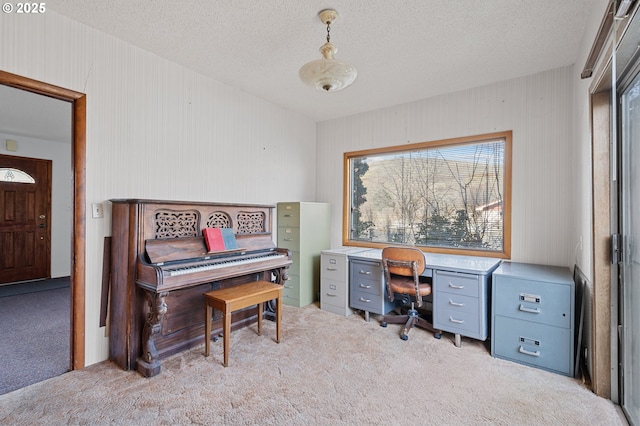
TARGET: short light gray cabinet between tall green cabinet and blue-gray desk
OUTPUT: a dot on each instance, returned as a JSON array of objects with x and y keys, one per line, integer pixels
[{"x": 334, "y": 280}]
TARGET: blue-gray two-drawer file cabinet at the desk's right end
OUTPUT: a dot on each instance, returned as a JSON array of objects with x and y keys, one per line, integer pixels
[{"x": 533, "y": 316}]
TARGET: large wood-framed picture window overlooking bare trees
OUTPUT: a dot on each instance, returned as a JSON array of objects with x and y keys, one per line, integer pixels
[{"x": 450, "y": 196}]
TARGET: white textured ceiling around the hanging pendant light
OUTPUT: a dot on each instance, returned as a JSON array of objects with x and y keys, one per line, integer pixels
[{"x": 404, "y": 50}]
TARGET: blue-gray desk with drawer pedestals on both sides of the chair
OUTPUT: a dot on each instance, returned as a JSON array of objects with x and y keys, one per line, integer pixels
[{"x": 460, "y": 288}]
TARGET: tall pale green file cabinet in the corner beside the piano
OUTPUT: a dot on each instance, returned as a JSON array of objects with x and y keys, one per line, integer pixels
[{"x": 303, "y": 228}]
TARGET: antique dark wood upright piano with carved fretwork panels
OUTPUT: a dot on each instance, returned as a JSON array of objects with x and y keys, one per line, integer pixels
[{"x": 160, "y": 268}]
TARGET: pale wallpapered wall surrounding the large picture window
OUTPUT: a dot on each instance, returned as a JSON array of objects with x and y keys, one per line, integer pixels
[{"x": 537, "y": 108}]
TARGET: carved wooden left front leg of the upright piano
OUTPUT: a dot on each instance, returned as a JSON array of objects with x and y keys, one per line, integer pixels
[{"x": 149, "y": 364}]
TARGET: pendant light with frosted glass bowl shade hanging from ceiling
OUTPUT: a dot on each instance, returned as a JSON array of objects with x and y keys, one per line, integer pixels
[{"x": 328, "y": 74}]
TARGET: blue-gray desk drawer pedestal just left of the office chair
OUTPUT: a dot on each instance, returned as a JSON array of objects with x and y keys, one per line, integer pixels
[{"x": 366, "y": 284}]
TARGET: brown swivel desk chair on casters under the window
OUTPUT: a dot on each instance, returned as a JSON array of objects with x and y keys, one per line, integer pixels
[{"x": 402, "y": 269}]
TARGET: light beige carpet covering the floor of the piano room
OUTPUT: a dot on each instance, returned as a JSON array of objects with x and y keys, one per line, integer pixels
[{"x": 327, "y": 370}]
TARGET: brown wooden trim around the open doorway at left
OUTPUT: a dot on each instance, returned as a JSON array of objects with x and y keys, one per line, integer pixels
[{"x": 78, "y": 160}]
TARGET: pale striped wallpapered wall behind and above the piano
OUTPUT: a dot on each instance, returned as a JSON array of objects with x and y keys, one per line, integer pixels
[{"x": 158, "y": 130}]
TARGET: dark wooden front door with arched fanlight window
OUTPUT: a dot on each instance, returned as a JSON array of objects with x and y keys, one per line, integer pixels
[{"x": 25, "y": 219}]
